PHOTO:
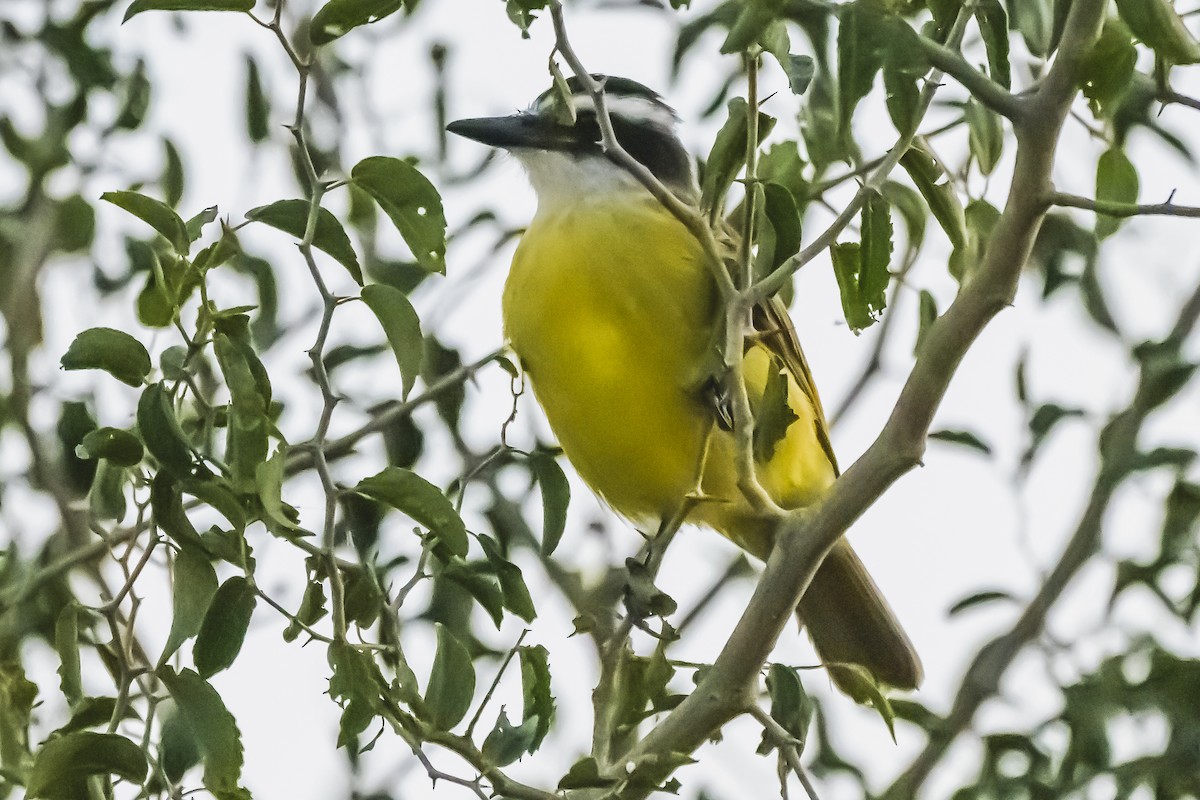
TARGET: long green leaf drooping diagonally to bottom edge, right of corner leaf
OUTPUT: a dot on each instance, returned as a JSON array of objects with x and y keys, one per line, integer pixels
[{"x": 214, "y": 730}]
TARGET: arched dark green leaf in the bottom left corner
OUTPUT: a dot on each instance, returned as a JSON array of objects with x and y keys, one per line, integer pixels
[{"x": 64, "y": 765}]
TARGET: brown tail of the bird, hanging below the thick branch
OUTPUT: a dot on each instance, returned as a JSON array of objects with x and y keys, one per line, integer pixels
[{"x": 850, "y": 622}]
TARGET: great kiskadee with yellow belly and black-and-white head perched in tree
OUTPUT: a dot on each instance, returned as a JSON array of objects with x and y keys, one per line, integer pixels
[{"x": 613, "y": 312}]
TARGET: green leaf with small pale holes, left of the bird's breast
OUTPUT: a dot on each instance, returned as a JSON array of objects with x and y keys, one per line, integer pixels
[{"x": 411, "y": 202}]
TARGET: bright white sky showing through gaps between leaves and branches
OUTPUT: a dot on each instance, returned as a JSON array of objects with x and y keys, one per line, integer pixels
[{"x": 945, "y": 532}]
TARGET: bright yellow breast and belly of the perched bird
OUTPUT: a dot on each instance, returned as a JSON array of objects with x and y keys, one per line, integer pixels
[{"x": 611, "y": 311}]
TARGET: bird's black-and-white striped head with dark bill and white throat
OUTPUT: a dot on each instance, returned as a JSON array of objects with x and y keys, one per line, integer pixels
[{"x": 565, "y": 157}]
